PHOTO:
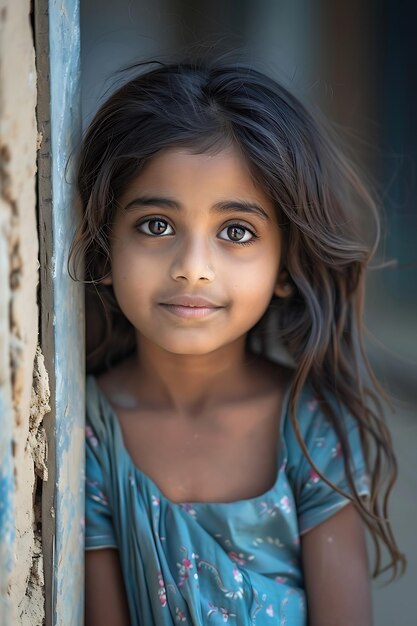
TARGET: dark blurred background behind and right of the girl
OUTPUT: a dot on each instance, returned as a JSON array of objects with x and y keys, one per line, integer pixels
[{"x": 357, "y": 62}]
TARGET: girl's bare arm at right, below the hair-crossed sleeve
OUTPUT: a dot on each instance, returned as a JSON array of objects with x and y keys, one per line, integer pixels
[{"x": 336, "y": 571}]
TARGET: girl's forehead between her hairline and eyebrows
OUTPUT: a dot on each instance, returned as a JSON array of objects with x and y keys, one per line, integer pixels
[{"x": 187, "y": 176}]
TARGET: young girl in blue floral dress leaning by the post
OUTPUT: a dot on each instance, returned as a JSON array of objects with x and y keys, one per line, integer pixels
[{"x": 222, "y": 232}]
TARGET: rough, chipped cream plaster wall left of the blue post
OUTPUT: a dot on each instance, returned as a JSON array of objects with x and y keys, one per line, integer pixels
[{"x": 18, "y": 148}]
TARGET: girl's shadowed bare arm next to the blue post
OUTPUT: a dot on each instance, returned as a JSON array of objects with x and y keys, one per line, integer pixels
[{"x": 105, "y": 596}]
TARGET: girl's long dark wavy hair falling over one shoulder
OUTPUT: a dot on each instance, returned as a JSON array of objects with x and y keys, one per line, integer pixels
[{"x": 331, "y": 231}]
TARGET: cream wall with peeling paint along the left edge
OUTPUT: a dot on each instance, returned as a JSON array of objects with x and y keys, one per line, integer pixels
[{"x": 21, "y": 563}]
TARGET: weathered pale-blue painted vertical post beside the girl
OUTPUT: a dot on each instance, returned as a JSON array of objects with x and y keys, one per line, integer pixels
[{"x": 68, "y": 323}]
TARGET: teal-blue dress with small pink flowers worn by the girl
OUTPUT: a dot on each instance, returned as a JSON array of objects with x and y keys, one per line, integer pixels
[{"x": 199, "y": 563}]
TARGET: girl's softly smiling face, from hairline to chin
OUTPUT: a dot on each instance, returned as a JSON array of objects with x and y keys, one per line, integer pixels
[{"x": 195, "y": 251}]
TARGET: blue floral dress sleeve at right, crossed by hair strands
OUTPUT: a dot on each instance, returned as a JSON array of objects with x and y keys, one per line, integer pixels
[{"x": 316, "y": 500}]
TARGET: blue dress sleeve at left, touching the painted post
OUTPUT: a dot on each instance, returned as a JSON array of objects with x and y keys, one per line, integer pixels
[{"x": 99, "y": 531}]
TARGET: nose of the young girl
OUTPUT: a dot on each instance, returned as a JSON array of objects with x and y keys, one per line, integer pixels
[{"x": 192, "y": 262}]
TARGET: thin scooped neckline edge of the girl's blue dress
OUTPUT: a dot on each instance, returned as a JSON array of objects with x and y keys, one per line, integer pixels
[{"x": 281, "y": 454}]
